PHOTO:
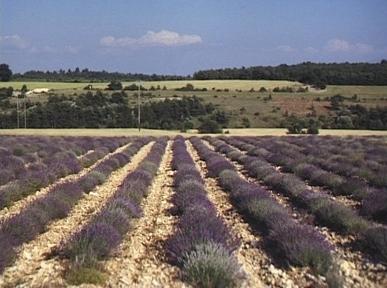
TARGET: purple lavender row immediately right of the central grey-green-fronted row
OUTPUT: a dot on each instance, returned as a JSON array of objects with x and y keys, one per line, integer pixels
[{"x": 299, "y": 244}]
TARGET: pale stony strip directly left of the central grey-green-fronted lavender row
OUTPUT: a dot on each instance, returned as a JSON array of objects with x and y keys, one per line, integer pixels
[{"x": 140, "y": 260}]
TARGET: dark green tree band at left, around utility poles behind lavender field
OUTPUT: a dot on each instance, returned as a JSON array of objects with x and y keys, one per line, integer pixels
[{"x": 101, "y": 110}]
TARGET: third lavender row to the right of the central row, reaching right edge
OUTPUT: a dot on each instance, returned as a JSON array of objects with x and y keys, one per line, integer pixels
[{"x": 373, "y": 201}]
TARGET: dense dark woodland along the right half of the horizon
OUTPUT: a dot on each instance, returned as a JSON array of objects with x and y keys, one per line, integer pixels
[{"x": 317, "y": 74}]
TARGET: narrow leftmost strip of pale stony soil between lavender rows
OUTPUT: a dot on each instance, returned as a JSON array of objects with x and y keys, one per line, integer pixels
[{"x": 23, "y": 203}]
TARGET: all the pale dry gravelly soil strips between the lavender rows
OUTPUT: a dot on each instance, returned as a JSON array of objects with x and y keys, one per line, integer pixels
[{"x": 140, "y": 260}]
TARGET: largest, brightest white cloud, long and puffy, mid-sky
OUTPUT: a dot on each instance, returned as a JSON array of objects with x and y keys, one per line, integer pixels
[{"x": 162, "y": 38}]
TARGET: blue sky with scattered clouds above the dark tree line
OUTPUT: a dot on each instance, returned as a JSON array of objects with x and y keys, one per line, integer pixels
[{"x": 183, "y": 36}]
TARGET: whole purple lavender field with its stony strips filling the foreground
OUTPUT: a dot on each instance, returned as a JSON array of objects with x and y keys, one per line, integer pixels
[{"x": 233, "y": 211}]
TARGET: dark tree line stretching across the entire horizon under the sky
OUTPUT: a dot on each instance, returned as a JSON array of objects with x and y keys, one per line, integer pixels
[{"x": 317, "y": 74}]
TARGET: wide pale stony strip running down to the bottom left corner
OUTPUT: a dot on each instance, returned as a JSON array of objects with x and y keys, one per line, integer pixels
[{"x": 31, "y": 268}]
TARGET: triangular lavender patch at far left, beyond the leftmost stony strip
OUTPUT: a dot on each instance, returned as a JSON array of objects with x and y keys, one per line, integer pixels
[{"x": 31, "y": 163}]
